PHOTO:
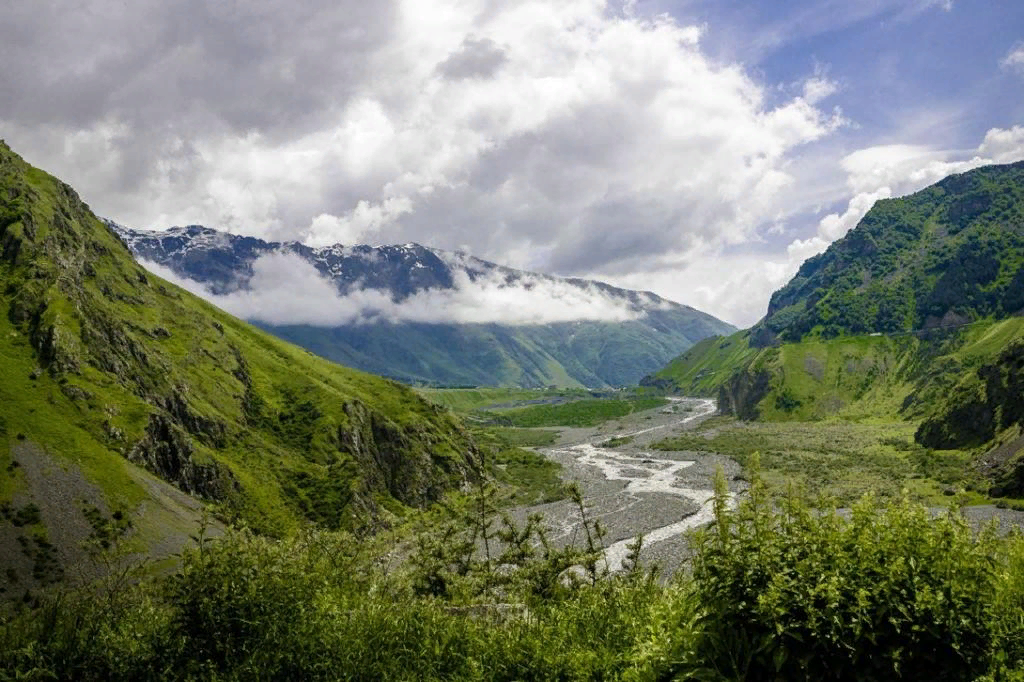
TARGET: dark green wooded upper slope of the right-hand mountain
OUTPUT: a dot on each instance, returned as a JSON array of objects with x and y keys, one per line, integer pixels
[{"x": 947, "y": 255}]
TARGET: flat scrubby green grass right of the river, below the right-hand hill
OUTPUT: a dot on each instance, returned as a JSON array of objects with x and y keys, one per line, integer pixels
[{"x": 837, "y": 459}]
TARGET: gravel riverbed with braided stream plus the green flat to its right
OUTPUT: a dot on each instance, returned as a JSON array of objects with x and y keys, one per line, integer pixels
[{"x": 652, "y": 474}]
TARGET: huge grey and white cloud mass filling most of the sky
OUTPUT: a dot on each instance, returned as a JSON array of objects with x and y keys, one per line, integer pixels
[{"x": 574, "y": 138}]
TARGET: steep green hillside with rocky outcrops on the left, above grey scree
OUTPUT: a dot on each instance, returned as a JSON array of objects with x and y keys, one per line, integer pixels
[{"x": 106, "y": 369}]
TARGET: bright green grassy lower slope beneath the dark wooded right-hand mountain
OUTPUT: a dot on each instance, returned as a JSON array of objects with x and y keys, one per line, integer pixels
[{"x": 851, "y": 377}]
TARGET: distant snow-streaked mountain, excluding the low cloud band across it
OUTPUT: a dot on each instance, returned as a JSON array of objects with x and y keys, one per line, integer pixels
[{"x": 586, "y": 353}]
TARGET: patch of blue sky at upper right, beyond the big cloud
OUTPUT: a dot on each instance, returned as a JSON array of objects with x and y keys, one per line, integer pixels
[{"x": 899, "y": 65}]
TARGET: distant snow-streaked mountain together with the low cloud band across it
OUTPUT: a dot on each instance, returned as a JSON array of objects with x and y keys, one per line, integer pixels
[{"x": 428, "y": 316}]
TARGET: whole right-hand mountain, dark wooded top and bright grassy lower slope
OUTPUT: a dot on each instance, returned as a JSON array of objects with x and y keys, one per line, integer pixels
[{"x": 915, "y": 315}]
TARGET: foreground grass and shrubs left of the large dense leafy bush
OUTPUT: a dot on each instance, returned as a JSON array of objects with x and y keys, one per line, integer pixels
[{"x": 319, "y": 607}]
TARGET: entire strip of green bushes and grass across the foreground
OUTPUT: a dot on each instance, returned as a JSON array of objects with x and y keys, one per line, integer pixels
[{"x": 775, "y": 591}]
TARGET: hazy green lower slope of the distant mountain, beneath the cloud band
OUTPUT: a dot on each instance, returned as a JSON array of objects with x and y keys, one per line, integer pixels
[{"x": 568, "y": 355}]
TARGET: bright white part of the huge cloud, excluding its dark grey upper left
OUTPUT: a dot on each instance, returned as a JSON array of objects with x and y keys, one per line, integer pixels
[{"x": 563, "y": 134}]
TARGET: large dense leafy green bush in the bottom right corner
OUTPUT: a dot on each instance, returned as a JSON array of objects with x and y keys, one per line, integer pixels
[{"x": 886, "y": 594}]
